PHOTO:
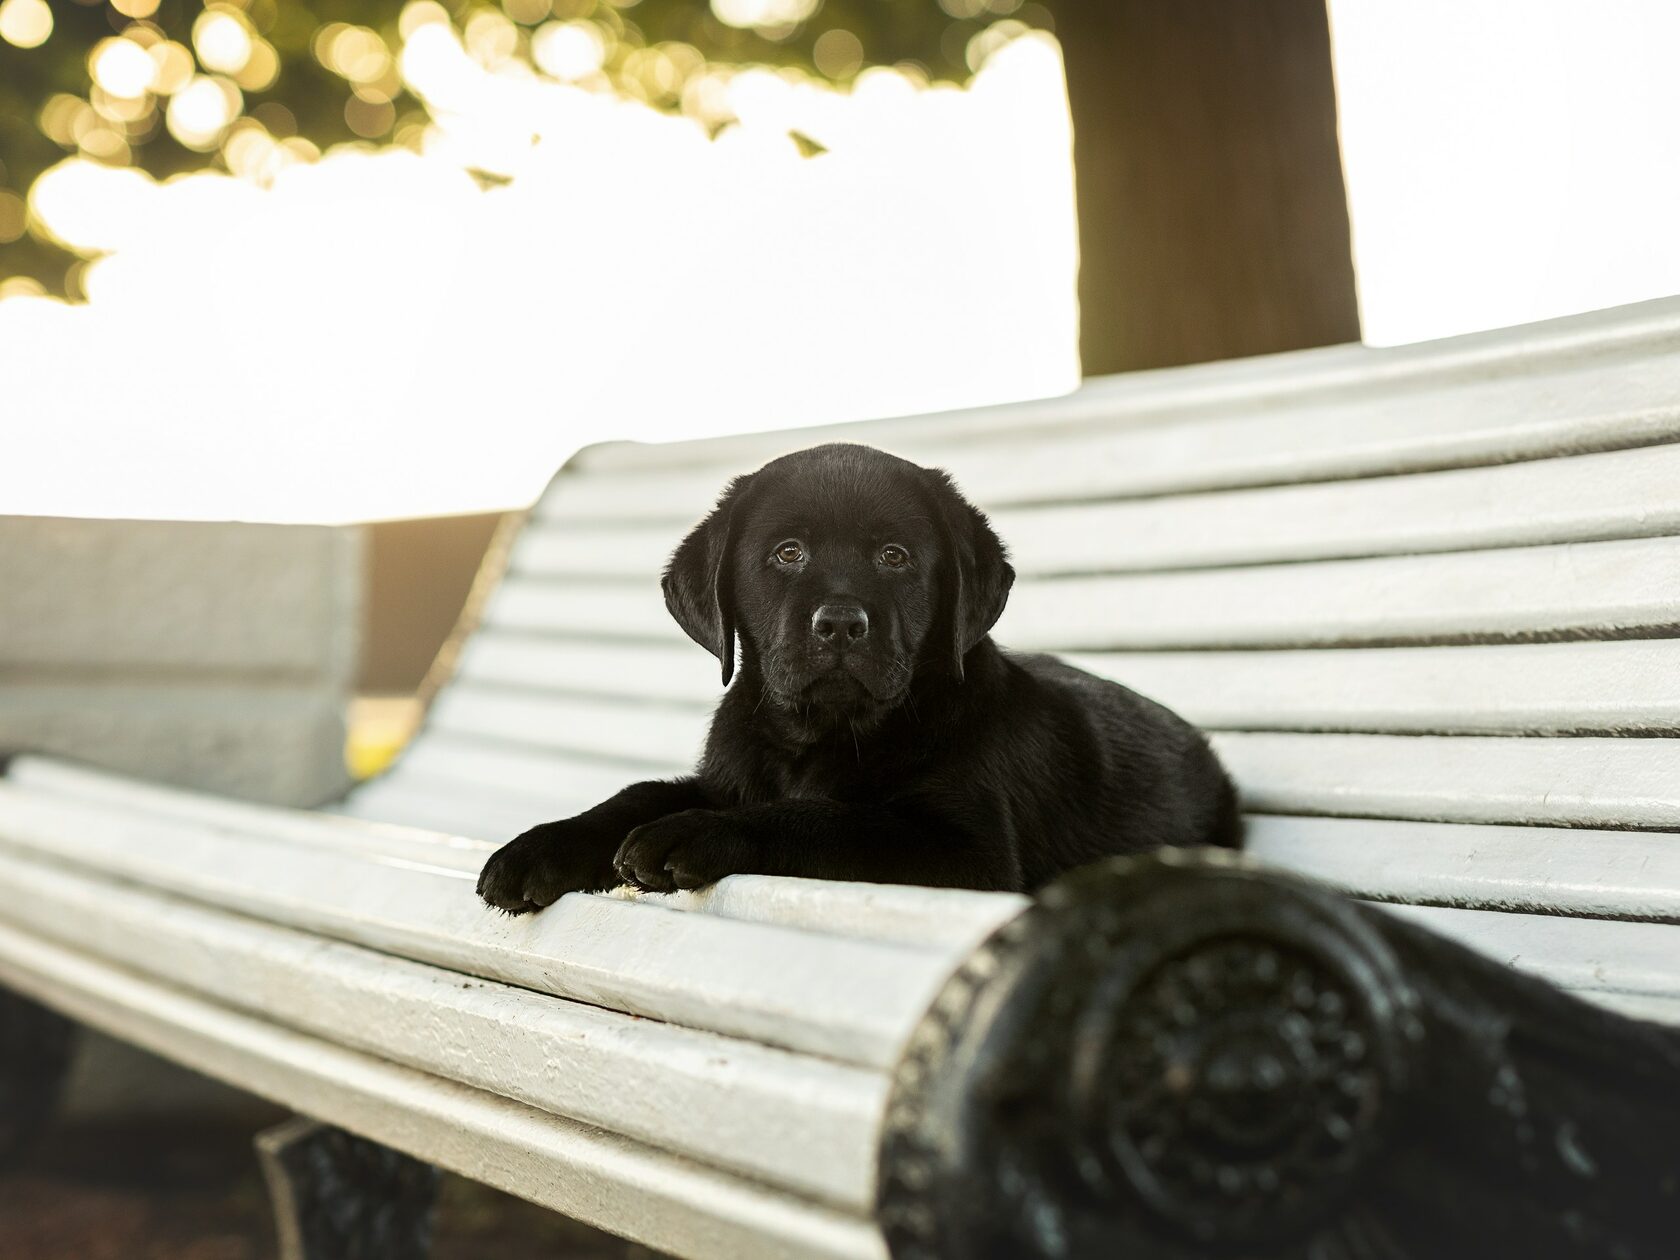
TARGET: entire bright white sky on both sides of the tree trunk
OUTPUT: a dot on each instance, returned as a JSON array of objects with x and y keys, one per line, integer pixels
[{"x": 377, "y": 335}]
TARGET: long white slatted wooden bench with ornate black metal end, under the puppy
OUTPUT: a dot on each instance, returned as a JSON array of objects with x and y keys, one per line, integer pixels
[{"x": 1427, "y": 599}]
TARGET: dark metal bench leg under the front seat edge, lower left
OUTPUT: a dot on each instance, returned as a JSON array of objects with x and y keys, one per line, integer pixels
[{"x": 339, "y": 1197}]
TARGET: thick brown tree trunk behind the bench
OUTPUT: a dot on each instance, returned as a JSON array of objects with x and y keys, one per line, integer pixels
[{"x": 1214, "y": 221}]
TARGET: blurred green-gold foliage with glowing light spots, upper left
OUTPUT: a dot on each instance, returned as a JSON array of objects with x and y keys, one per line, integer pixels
[{"x": 182, "y": 85}]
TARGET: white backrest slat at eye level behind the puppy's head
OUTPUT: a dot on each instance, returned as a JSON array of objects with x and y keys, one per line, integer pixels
[{"x": 1587, "y": 498}]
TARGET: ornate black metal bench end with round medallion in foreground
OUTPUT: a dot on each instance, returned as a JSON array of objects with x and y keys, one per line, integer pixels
[{"x": 1187, "y": 1058}]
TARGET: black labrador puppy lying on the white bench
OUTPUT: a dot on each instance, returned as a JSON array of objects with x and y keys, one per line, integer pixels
[{"x": 876, "y": 732}]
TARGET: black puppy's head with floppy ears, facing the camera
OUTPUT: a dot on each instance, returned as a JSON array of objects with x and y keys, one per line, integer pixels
[{"x": 843, "y": 572}]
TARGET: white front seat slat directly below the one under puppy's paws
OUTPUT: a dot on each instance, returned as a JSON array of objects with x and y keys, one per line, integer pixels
[{"x": 799, "y": 1123}]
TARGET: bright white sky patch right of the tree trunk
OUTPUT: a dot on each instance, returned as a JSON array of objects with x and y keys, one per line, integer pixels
[{"x": 1508, "y": 160}]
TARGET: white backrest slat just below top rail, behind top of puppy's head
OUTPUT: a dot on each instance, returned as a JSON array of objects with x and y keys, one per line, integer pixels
[{"x": 1540, "y": 416}]
